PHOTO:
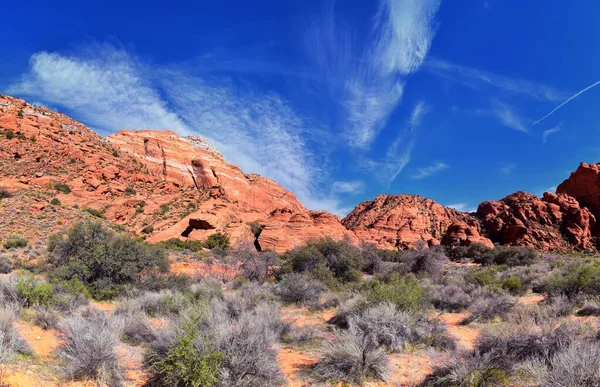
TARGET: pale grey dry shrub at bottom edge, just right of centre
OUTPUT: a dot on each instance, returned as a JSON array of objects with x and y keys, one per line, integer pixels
[{"x": 352, "y": 357}]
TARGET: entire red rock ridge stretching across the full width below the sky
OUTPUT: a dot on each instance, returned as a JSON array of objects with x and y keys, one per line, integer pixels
[{"x": 160, "y": 185}]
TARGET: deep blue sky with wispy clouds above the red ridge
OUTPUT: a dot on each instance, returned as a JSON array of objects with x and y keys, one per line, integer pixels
[{"x": 337, "y": 101}]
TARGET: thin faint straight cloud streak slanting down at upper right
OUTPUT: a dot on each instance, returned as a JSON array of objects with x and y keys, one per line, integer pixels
[{"x": 475, "y": 78}]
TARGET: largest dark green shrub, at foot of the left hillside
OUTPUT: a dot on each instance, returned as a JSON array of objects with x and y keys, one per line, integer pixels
[{"x": 102, "y": 259}]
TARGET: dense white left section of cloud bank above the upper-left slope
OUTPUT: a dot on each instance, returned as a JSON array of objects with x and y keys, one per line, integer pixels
[{"x": 104, "y": 86}]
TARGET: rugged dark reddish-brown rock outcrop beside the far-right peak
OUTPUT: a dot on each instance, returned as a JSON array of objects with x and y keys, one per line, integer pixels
[{"x": 522, "y": 219}]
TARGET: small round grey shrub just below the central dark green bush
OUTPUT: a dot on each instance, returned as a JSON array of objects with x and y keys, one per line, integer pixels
[{"x": 298, "y": 288}]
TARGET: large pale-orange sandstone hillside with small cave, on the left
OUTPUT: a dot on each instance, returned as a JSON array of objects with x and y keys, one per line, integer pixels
[{"x": 181, "y": 186}]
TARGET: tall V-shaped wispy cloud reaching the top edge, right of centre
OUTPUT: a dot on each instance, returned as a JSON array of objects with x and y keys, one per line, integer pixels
[{"x": 368, "y": 79}]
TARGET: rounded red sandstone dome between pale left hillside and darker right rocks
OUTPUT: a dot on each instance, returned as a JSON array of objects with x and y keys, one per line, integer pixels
[{"x": 402, "y": 221}]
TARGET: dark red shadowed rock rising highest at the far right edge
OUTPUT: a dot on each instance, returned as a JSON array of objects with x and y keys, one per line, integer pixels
[{"x": 584, "y": 185}]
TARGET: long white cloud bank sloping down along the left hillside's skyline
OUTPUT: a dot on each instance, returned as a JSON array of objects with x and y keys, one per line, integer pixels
[{"x": 109, "y": 89}]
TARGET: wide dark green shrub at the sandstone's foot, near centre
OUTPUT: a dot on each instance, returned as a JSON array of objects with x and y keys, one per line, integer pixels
[{"x": 323, "y": 258}]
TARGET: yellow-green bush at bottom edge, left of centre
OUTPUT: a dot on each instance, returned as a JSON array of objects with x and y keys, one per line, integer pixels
[{"x": 183, "y": 365}]
